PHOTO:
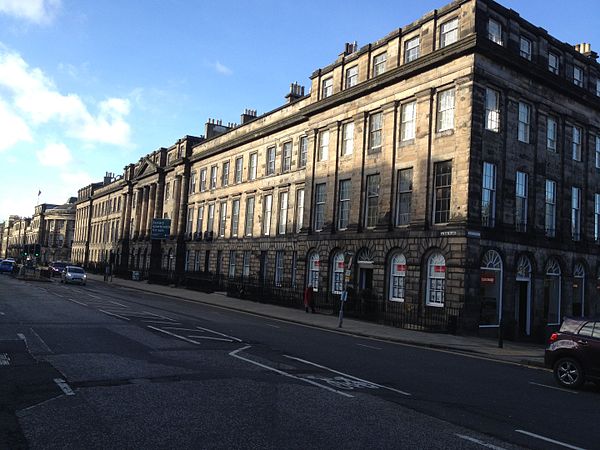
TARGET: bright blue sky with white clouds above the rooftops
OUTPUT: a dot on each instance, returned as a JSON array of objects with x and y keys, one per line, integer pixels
[{"x": 88, "y": 86}]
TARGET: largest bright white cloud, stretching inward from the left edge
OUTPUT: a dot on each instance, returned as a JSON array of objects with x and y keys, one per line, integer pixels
[{"x": 36, "y": 97}]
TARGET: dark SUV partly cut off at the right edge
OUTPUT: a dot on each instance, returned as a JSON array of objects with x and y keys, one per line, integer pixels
[{"x": 573, "y": 353}]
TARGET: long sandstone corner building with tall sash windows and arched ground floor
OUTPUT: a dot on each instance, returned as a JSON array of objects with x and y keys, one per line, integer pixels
[{"x": 457, "y": 158}]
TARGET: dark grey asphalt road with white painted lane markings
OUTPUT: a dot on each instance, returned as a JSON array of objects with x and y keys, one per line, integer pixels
[{"x": 101, "y": 366}]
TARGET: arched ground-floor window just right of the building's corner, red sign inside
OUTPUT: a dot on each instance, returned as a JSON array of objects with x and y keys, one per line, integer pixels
[{"x": 491, "y": 289}]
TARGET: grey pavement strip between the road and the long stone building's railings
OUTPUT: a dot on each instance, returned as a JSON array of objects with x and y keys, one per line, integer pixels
[{"x": 513, "y": 352}]
